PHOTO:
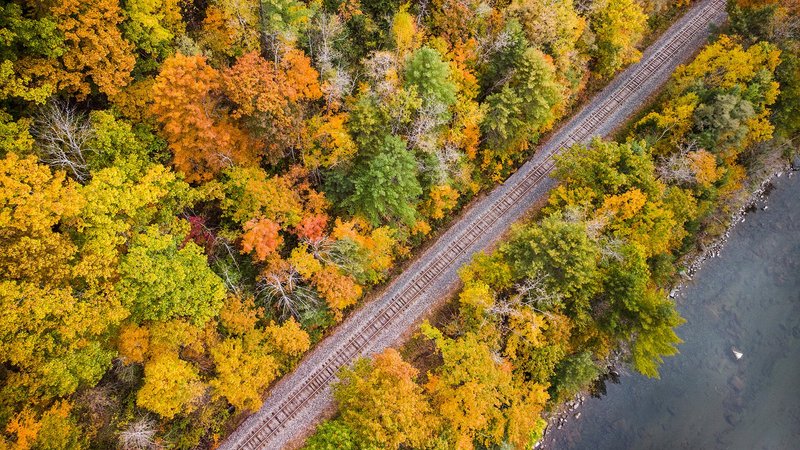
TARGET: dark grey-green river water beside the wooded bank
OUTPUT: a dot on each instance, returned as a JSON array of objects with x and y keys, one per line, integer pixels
[{"x": 747, "y": 298}]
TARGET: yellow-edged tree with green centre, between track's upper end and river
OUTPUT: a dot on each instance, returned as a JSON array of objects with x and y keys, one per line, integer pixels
[{"x": 720, "y": 101}]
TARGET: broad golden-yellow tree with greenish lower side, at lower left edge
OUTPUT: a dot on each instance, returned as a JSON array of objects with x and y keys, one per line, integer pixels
[{"x": 55, "y": 341}]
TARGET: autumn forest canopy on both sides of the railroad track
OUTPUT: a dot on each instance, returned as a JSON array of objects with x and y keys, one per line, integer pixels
[{"x": 193, "y": 192}]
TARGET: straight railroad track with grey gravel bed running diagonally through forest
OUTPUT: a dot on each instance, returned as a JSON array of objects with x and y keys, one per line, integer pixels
[{"x": 299, "y": 399}]
